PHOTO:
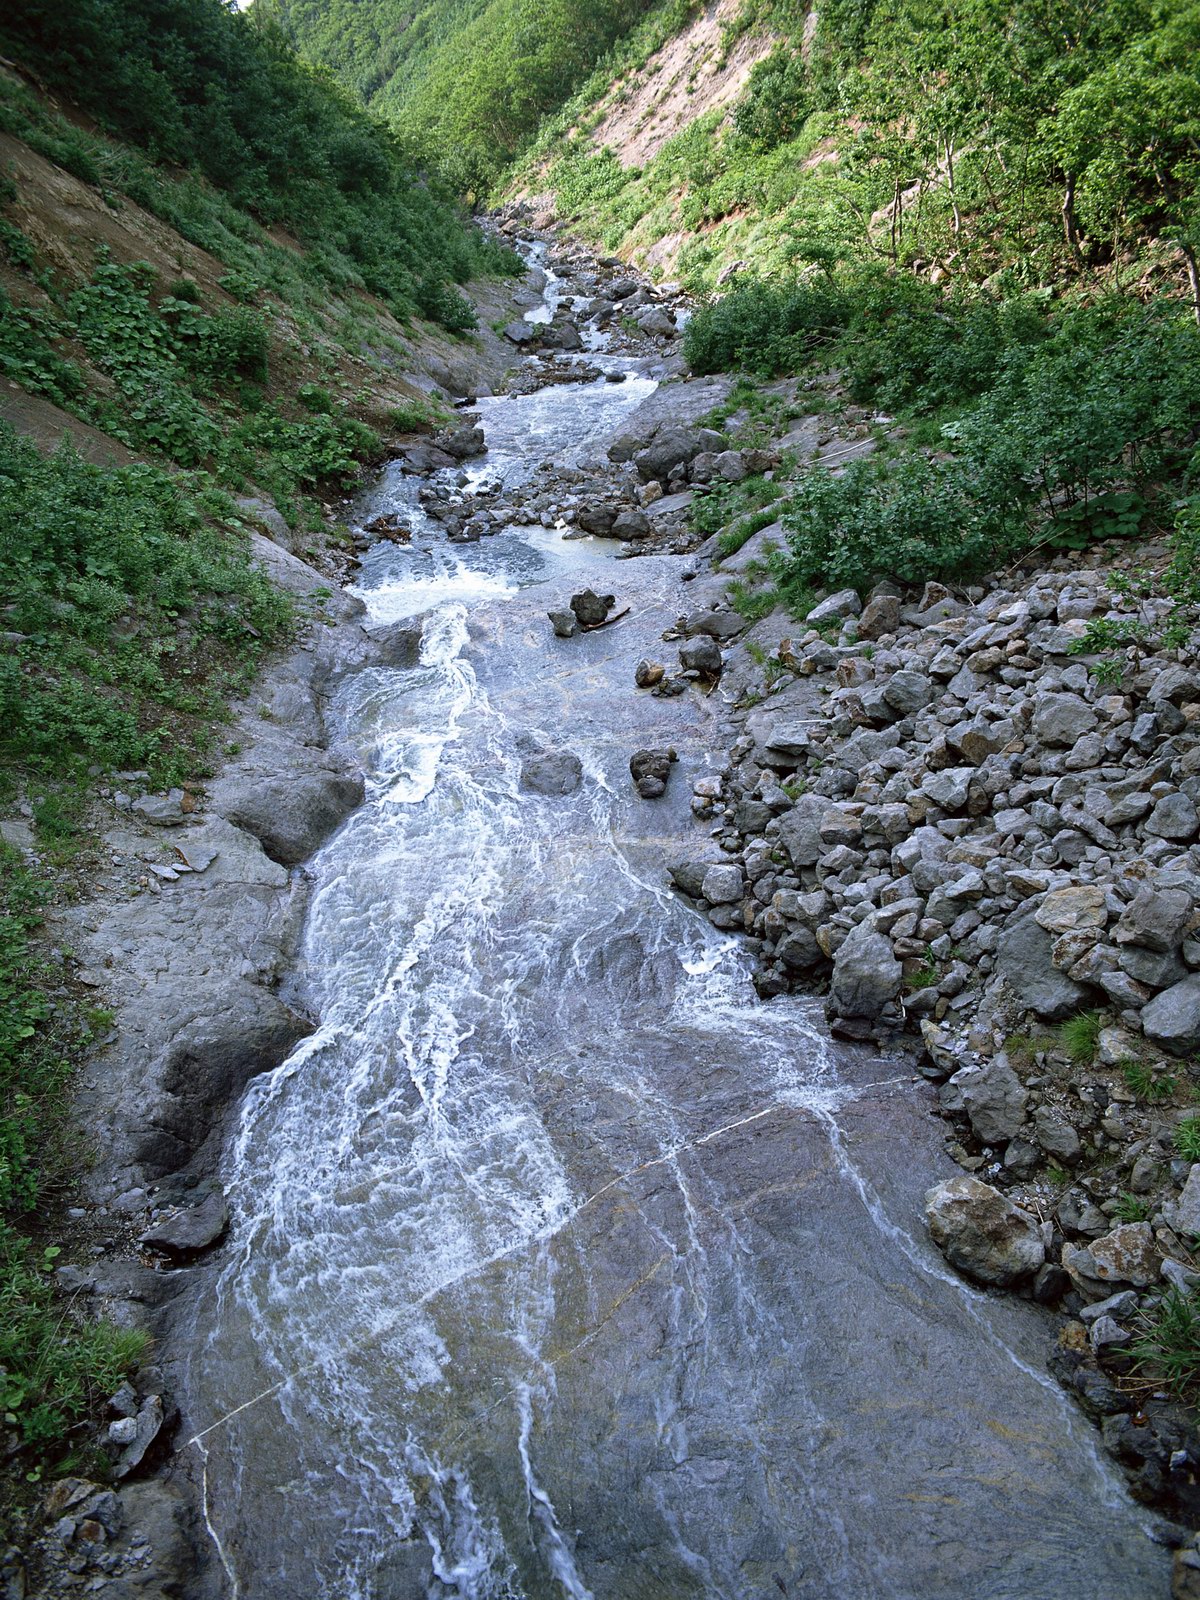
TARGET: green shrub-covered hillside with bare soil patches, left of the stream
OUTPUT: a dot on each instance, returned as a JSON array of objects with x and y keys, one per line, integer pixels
[{"x": 214, "y": 273}]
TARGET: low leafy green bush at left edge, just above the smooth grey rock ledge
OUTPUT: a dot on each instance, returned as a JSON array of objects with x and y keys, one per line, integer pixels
[{"x": 137, "y": 612}]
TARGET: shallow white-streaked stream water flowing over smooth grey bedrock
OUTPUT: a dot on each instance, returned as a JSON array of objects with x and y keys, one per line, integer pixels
[{"x": 562, "y": 1266}]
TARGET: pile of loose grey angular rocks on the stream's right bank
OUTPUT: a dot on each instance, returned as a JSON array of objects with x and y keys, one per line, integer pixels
[{"x": 953, "y": 817}]
